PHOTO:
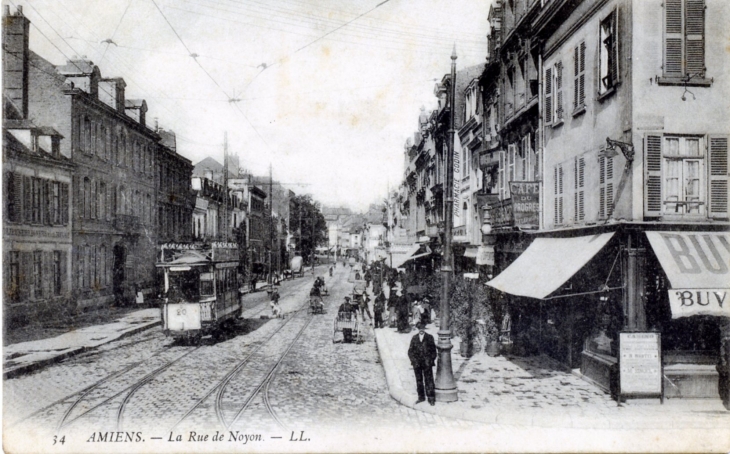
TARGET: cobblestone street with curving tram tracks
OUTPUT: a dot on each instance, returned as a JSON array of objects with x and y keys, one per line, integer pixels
[{"x": 150, "y": 384}]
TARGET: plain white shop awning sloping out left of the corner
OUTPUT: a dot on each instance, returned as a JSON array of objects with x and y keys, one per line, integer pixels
[{"x": 547, "y": 264}]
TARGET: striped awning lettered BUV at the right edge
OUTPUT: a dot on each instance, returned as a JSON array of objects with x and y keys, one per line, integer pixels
[{"x": 697, "y": 265}]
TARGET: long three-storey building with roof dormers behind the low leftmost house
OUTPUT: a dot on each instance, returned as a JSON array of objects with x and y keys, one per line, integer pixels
[{"x": 114, "y": 214}]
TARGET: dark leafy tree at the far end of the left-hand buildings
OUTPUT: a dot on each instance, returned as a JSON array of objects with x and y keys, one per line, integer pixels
[{"x": 307, "y": 224}]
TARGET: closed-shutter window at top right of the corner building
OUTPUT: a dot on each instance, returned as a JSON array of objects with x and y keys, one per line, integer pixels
[{"x": 684, "y": 41}]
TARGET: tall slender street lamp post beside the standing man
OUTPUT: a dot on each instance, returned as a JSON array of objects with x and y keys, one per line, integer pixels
[{"x": 445, "y": 385}]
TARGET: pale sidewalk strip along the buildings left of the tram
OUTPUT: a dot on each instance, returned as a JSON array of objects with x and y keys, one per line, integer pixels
[{"x": 25, "y": 357}]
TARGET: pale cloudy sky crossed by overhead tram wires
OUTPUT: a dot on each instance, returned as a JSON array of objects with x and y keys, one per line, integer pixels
[{"x": 325, "y": 91}]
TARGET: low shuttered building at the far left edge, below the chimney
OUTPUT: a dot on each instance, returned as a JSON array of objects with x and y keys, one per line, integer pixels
[{"x": 36, "y": 218}]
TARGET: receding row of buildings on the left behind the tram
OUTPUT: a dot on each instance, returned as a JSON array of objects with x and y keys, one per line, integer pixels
[{"x": 91, "y": 189}]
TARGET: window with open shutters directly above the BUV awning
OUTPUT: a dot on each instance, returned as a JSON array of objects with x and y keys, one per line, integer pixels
[{"x": 678, "y": 181}]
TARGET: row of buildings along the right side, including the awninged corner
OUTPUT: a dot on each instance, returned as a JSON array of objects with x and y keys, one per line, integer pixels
[{"x": 590, "y": 182}]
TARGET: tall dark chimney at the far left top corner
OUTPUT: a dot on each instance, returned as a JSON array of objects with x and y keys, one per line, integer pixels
[{"x": 15, "y": 58}]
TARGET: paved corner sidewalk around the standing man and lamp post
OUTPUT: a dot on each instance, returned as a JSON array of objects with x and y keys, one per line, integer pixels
[{"x": 529, "y": 391}]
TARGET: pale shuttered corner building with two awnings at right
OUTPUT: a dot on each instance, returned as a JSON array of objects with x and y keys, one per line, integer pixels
[{"x": 631, "y": 149}]
